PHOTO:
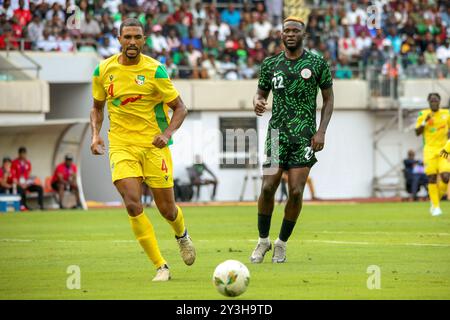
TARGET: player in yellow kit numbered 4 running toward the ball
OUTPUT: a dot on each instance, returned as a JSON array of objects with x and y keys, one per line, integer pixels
[{"x": 139, "y": 93}]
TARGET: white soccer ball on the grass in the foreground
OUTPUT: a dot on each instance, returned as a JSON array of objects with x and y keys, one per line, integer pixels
[{"x": 231, "y": 278}]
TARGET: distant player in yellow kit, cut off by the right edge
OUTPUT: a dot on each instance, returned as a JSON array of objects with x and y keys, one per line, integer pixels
[{"x": 434, "y": 124}]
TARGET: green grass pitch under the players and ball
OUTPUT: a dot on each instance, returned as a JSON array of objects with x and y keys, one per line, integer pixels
[{"x": 328, "y": 254}]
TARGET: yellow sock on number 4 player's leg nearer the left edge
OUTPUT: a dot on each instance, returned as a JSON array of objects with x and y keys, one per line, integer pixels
[{"x": 143, "y": 230}]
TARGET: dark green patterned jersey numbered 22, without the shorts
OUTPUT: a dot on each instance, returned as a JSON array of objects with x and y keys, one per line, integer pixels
[{"x": 294, "y": 85}]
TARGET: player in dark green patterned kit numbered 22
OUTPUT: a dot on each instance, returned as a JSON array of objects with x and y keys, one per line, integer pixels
[{"x": 294, "y": 76}]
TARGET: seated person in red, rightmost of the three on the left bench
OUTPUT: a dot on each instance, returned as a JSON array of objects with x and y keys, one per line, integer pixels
[{"x": 65, "y": 178}]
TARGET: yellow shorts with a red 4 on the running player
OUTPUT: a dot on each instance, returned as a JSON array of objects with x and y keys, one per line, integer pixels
[{"x": 154, "y": 165}]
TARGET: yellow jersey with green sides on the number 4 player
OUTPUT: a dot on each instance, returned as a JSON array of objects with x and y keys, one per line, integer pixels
[{"x": 136, "y": 97}]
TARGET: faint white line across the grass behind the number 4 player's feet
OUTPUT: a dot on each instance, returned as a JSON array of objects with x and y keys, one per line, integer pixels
[{"x": 364, "y": 243}]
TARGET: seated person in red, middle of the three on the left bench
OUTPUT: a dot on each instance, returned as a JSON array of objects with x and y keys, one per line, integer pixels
[{"x": 21, "y": 167}]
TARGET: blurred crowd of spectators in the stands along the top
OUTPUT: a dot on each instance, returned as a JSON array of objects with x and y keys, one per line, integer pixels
[{"x": 197, "y": 39}]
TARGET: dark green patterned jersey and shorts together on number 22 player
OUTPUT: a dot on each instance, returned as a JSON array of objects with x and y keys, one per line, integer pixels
[{"x": 294, "y": 84}]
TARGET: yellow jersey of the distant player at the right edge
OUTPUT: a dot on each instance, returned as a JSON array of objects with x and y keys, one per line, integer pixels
[{"x": 435, "y": 133}]
